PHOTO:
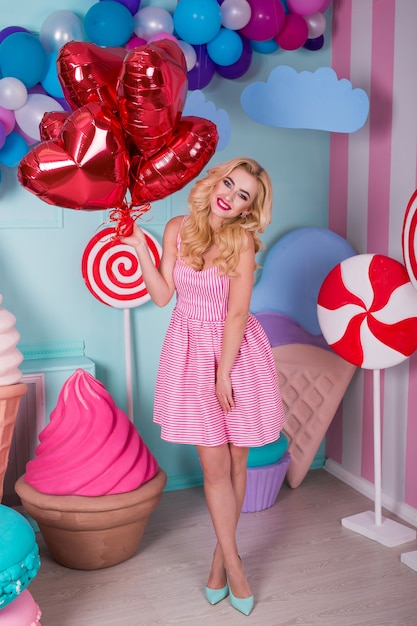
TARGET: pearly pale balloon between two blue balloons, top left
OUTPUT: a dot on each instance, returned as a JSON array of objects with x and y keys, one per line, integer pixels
[{"x": 59, "y": 28}]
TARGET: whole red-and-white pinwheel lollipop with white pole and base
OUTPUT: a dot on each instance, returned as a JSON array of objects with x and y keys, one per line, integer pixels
[{"x": 367, "y": 311}]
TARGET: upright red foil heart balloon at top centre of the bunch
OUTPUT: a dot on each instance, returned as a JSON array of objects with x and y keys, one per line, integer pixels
[{"x": 152, "y": 89}]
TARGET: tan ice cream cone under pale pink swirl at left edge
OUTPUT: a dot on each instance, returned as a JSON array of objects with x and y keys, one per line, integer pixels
[{"x": 10, "y": 397}]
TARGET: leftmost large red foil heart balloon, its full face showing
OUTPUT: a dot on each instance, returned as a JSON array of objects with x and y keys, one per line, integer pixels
[{"x": 86, "y": 167}]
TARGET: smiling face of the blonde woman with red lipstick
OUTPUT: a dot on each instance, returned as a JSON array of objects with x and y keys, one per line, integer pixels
[{"x": 232, "y": 195}]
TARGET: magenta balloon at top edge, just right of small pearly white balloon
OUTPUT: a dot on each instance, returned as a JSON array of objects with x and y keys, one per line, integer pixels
[{"x": 266, "y": 21}]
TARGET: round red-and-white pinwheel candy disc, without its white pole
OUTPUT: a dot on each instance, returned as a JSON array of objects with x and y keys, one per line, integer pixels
[{"x": 367, "y": 311}]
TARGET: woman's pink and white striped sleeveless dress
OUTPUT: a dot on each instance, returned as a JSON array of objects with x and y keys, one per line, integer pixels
[{"x": 186, "y": 405}]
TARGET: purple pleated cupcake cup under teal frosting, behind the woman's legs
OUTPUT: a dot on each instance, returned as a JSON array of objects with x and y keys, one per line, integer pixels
[{"x": 263, "y": 484}]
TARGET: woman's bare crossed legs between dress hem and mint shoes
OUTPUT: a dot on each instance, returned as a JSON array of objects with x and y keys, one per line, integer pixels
[{"x": 224, "y": 469}]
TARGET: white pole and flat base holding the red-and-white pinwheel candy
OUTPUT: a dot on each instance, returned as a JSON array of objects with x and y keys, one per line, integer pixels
[{"x": 372, "y": 524}]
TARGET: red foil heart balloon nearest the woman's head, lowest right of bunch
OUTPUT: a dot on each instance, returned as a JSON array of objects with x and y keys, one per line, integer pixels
[{"x": 189, "y": 149}]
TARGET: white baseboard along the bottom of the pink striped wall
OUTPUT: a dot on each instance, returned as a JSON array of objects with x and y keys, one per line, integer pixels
[{"x": 403, "y": 511}]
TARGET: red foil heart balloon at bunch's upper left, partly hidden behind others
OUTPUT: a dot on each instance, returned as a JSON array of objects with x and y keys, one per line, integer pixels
[{"x": 88, "y": 73}]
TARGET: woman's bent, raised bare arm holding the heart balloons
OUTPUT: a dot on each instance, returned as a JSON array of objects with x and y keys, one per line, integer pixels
[{"x": 158, "y": 281}]
